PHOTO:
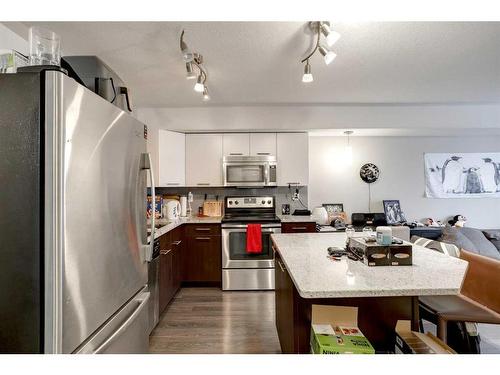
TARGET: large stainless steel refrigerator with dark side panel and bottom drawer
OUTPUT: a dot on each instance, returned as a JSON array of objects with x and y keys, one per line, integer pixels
[{"x": 73, "y": 236}]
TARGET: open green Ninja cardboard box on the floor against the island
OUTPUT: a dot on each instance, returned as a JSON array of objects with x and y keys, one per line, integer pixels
[{"x": 334, "y": 330}]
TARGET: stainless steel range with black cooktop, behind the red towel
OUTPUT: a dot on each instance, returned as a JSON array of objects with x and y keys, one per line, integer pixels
[{"x": 242, "y": 270}]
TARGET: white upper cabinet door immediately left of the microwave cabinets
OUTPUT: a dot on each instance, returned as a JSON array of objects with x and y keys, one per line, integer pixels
[{"x": 204, "y": 160}]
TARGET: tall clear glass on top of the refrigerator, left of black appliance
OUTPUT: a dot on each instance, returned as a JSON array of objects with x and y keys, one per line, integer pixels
[{"x": 45, "y": 47}]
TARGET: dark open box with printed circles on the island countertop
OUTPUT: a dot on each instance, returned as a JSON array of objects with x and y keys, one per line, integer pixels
[{"x": 378, "y": 255}]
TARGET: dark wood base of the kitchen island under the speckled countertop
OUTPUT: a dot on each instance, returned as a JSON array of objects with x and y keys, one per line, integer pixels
[{"x": 377, "y": 316}]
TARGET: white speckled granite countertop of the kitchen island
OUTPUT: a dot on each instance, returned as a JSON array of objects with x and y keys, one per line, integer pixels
[{"x": 315, "y": 276}]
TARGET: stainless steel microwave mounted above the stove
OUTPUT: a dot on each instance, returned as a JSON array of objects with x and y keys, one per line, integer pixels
[{"x": 249, "y": 171}]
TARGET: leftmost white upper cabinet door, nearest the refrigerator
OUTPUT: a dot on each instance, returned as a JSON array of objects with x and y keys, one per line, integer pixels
[{"x": 172, "y": 158}]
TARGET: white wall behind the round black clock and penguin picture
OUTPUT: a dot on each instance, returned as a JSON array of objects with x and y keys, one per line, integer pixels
[{"x": 401, "y": 162}]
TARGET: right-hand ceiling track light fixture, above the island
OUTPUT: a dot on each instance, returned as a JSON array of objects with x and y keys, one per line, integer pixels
[{"x": 320, "y": 28}]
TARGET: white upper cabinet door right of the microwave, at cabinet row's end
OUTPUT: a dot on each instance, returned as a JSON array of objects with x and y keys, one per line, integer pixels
[{"x": 293, "y": 158}]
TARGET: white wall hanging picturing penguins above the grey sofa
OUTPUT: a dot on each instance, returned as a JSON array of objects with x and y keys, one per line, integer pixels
[{"x": 462, "y": 175}]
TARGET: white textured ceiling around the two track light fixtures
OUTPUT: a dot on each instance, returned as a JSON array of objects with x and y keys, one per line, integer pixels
[{"x": 258, "y": 63}]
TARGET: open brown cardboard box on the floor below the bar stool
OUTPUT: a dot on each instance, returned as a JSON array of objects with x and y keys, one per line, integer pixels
[{"x": 411, "y": 342}]
